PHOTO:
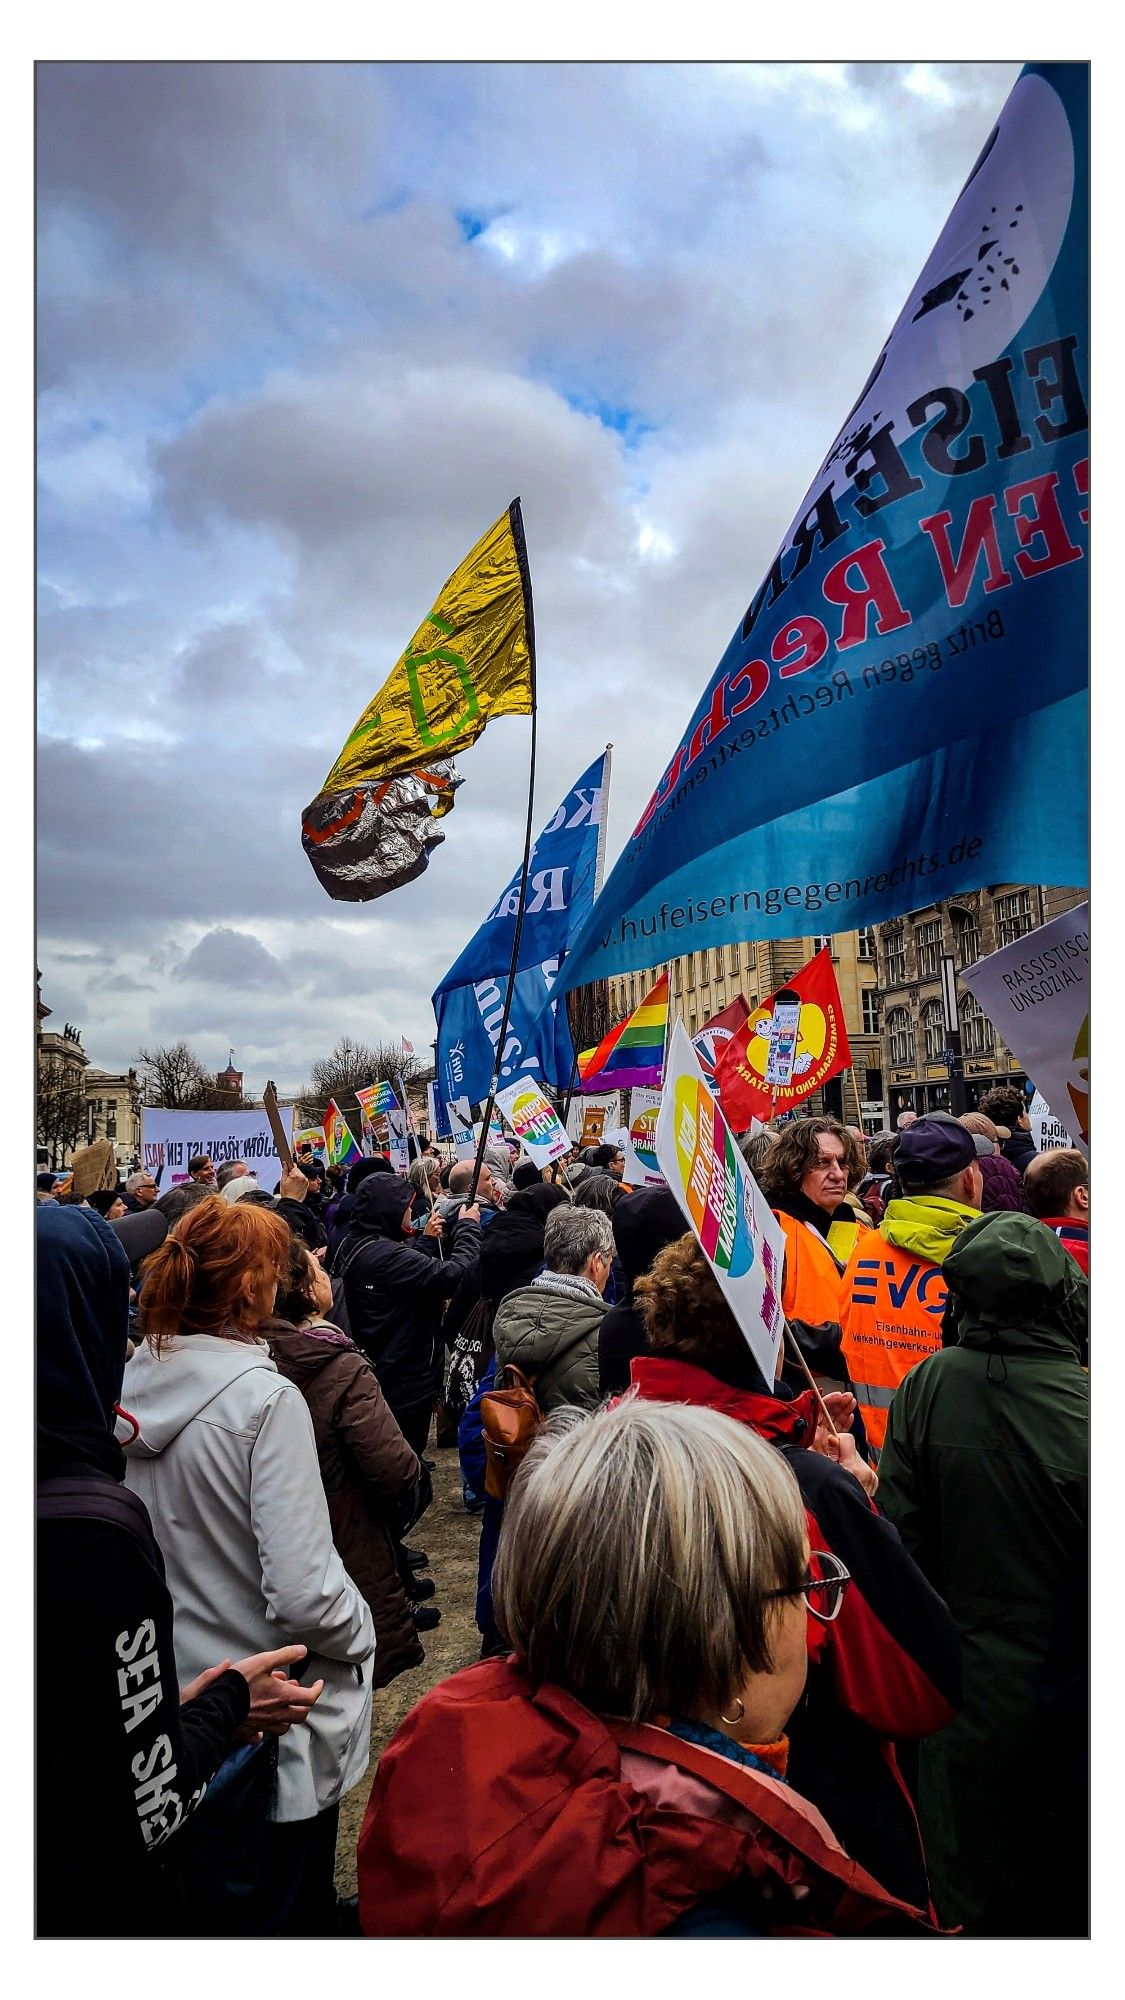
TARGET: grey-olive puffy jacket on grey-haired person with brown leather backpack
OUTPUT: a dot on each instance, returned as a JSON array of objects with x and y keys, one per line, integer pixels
[{"x": 551, "y": 1331}]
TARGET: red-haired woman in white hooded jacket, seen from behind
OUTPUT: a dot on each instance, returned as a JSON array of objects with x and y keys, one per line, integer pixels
[{"x": 225, "y": 1461}]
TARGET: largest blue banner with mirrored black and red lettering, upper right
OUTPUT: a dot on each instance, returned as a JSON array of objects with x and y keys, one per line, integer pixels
[{"x": 902, "y": 713}]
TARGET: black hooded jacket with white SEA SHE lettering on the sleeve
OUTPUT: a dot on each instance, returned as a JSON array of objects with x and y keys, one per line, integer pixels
[{"x": 129, "y": 1759}]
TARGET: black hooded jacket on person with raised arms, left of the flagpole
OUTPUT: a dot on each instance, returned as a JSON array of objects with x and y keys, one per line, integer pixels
[{"x": 395, "y": 1293}]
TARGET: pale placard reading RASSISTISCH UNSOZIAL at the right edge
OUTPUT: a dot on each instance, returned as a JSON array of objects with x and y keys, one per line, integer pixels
[{"x": 1036, "y": 995}]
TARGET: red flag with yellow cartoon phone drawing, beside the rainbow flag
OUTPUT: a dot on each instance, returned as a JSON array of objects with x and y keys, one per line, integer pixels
[{"x": 822, "y": 1049}]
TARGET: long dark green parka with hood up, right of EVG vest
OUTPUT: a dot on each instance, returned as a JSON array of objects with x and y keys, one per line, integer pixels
[{"x": 986, "y": 1477}]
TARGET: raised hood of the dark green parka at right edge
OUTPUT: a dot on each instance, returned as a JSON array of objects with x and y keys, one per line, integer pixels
[{"x": 1010, "y": 1281}]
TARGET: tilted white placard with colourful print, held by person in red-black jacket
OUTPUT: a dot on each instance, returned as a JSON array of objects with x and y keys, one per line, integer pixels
[{"x": 722, "y": 1201}]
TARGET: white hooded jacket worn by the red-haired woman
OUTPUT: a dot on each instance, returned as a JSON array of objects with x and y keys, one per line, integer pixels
[{"x": 227, "y": 1469}]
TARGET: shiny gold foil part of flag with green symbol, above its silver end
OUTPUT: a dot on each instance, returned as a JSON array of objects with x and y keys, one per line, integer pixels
[{"x": 467, "y": 663}]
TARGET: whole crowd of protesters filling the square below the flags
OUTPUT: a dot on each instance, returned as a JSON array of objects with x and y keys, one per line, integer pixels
[{"x": 798, "y": 1657}]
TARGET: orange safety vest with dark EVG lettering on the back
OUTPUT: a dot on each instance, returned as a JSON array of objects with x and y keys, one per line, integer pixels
[{"x": 892, "y": 1321}]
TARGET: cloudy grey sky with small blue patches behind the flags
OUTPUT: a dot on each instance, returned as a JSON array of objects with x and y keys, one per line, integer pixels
[{"x": 303, "y": 333}]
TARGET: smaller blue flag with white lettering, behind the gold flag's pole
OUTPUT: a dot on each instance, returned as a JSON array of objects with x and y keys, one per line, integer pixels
[{"x": 471, "y": 999}]
